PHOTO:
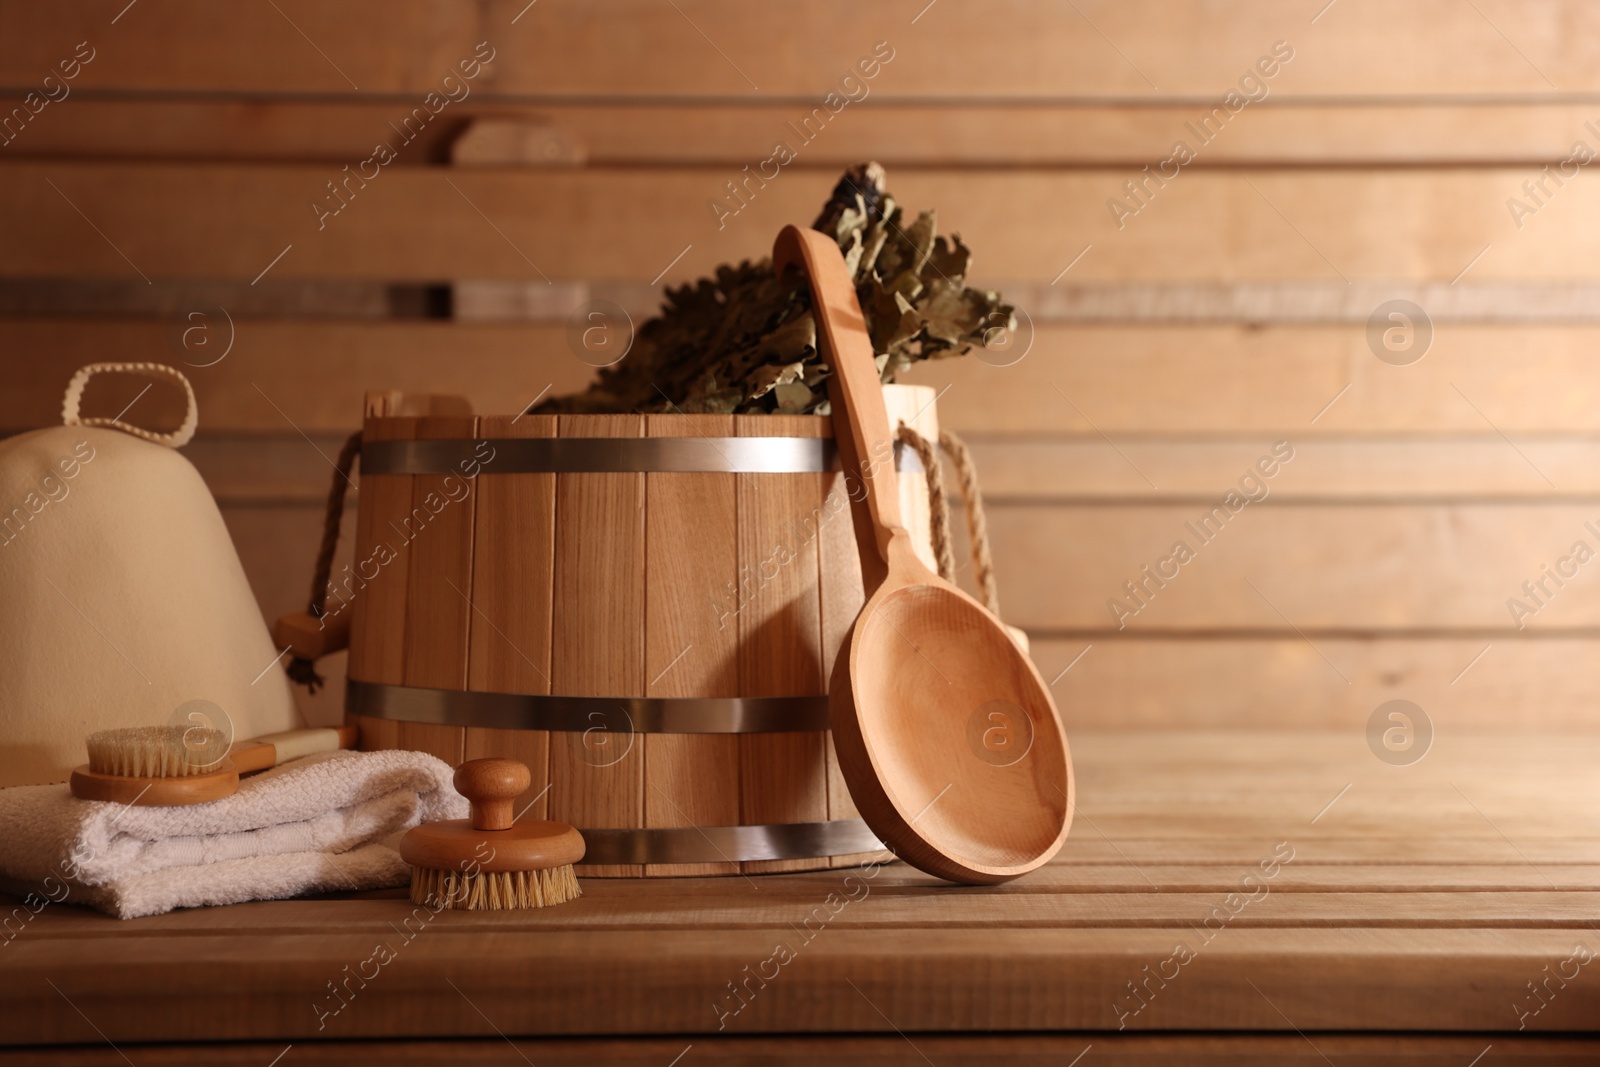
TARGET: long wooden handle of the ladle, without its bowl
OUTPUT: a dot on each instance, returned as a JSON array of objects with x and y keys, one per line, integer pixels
[{"x": 858, "y": 402}]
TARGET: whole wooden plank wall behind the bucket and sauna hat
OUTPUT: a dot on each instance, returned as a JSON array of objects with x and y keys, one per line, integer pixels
[{"x": 1430, "y": 153}]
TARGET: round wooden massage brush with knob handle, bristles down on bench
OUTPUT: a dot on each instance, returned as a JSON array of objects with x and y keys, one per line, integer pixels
[{"x": 492, "y": 861}]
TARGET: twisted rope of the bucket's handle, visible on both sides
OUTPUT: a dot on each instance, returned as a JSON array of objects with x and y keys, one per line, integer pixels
[{"x": 303, "y": 669}]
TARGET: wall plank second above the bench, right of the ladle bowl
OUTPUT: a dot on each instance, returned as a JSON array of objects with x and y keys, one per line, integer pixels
[{"x": 1316, "y": 569}]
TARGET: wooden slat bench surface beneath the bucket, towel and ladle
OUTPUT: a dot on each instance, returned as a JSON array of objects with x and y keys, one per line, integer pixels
[{"x": 1399, "y": 914}]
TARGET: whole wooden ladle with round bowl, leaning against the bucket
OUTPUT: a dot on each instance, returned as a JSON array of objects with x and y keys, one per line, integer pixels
[{"x": 946, "y": 732}]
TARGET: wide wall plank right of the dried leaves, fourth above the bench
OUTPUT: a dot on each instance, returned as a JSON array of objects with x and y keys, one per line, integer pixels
[{"x": 1290, "y": 382}]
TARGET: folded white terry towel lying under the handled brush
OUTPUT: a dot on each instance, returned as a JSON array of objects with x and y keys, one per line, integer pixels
[{"x": 329, "y": 821}]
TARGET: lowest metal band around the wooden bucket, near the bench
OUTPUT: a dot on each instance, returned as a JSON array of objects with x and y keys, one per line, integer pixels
[{"x": 729, "y": 844}]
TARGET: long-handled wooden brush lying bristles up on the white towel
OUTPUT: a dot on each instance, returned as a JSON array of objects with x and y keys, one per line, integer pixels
[{"x": 158, "y": 767}]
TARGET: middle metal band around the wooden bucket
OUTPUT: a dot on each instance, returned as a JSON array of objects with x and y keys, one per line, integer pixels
[{"x": 620, "y": 714}]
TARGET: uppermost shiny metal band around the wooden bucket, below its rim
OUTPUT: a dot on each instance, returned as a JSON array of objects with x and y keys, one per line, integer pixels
[{"x": 614, "y": 455}]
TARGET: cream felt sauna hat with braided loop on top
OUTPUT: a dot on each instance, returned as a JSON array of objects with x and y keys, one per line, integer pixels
[{"x": 122, "y": 599}]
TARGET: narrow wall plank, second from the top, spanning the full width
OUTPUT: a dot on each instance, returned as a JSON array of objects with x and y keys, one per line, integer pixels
[{"x": 734, "y": 134}]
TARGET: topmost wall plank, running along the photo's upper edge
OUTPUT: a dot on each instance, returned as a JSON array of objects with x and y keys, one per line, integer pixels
[{"x": 722, "y": 49}]
